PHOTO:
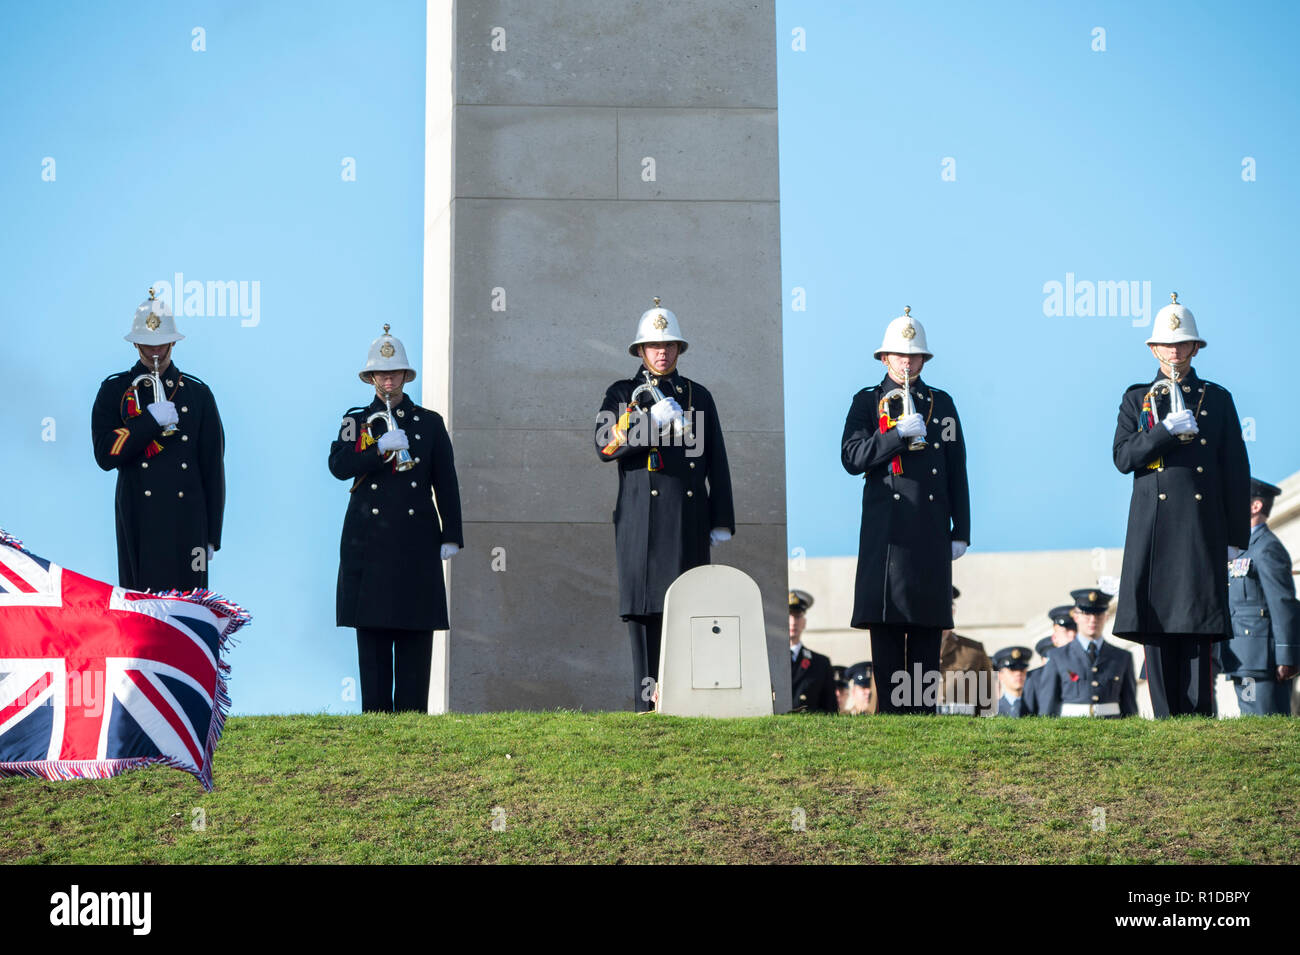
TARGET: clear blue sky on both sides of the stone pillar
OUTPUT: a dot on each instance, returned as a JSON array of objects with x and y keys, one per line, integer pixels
[{"x": 226, "y": 166}]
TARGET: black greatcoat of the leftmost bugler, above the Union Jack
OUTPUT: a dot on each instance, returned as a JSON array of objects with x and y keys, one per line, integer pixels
[{"x": 170, "y": 503}]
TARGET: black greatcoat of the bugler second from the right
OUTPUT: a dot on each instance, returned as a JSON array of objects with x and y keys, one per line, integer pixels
[{"x": 909, "y": 522}]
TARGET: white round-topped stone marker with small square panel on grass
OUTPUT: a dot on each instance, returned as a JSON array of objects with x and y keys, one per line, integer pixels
[{"x": 714, "y": 656}]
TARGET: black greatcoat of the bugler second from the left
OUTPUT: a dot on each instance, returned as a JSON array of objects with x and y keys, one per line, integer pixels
[{"x": 391, "y": 566}]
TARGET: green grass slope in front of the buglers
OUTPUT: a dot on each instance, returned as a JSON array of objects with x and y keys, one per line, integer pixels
[{"x": 616, "y": 788}]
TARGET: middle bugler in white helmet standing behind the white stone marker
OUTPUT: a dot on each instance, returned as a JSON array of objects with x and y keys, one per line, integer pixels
[{"x": 675, "y": 493}]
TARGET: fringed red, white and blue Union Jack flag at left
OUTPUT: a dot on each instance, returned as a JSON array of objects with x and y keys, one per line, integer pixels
[{"x": 97, "y": 680}]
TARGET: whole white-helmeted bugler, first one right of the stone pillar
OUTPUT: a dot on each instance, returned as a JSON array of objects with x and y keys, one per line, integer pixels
[{"x": 916, "y": 518}]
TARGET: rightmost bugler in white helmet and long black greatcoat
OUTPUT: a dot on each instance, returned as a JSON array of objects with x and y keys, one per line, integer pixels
[{"x": 1190, "y": 506}]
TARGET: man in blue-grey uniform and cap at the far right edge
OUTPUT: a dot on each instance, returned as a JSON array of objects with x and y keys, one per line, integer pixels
[{"x": 1264, "y": 653}]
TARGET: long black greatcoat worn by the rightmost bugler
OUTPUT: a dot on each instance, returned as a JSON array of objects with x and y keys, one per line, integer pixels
[{"x": 1182, "y": 516}]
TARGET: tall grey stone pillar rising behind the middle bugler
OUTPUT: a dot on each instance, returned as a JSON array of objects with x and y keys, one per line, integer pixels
[{"x": 584, "y": 157}]
